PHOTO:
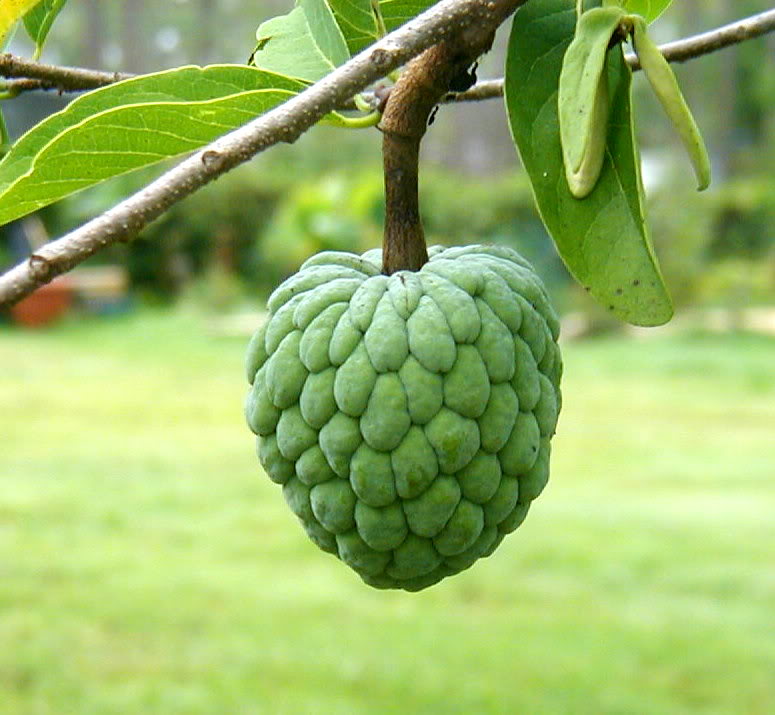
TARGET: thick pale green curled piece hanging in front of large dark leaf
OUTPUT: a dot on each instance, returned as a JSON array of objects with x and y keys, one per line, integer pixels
[{"x": 583, "y": 98}]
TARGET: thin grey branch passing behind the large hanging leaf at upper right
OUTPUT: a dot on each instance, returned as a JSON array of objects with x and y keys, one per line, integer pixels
[{"x": 678, "y": 51}]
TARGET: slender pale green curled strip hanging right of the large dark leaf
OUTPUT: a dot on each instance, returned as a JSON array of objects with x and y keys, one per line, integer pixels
[{"x": 665, "y": 86}]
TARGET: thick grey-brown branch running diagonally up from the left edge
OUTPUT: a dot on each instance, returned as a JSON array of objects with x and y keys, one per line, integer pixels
[{"x": 285, "y": 123}]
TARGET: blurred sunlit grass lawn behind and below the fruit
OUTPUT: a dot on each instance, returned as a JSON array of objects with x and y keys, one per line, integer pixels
[{"x": 147, "y": 566}]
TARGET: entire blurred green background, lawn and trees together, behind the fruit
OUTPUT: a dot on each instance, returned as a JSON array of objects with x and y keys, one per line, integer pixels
[{"x": 148, "y": 566}]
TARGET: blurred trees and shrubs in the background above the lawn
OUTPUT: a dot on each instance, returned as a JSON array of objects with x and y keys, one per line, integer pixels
[{"x": 233, "y": 241}]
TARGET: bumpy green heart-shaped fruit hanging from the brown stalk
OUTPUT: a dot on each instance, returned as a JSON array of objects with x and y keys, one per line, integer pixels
[{"x": 407, "y": 417}]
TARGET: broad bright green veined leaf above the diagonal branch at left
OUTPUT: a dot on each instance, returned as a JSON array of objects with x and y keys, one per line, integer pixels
[{"x": 132, "y": 124}]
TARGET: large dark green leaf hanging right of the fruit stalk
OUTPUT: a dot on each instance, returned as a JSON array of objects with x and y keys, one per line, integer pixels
[{"x": 603, "y": 239}]
